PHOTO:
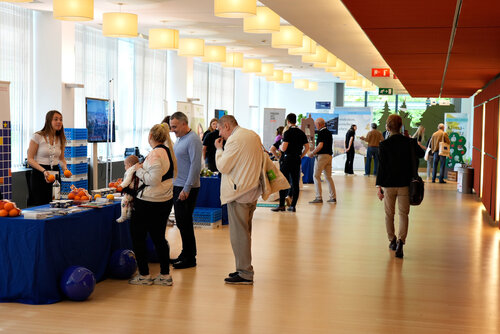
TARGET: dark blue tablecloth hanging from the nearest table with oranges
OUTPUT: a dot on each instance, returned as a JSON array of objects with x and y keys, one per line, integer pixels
[{"x": 35, "y": 252}]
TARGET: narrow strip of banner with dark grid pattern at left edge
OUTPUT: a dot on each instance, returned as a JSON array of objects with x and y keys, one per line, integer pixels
[{"x": 5, "y": 142}]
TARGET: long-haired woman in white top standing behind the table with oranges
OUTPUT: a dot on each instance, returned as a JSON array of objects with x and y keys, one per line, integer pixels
[{"x": 46, "y": 153}]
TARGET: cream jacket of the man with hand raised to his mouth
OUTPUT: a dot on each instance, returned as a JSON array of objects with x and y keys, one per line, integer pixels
[{"x": 240, "y": 164}]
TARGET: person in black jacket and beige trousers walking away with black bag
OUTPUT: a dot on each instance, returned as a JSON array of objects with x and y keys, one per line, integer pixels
[{"x": 393, "y": 180}]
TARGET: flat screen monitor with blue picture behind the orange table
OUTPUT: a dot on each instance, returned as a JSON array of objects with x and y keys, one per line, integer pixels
[{"x": 98, "y": 120}]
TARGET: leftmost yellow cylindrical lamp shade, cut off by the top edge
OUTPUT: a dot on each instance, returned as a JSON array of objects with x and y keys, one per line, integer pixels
[{"x": 72, "y": 10}]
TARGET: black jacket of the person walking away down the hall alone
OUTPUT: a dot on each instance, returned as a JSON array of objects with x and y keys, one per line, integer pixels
[{"x": 395, "y": 167}]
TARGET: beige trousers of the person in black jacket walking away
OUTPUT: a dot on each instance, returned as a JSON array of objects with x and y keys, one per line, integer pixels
[{"x": 390, "y": 196}]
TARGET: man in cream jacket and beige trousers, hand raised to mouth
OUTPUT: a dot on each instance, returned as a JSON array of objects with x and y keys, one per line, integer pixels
[{"x": 240, "y": 163}]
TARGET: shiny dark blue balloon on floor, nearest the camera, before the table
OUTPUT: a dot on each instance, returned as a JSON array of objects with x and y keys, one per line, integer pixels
[{"x": 77, "y": 283}]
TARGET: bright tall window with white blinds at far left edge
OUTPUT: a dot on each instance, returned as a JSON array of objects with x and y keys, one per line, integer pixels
[{"x": 16, "y": 58}]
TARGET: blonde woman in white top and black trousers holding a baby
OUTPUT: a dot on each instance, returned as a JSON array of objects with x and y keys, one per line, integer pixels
[{"x": 152, "y": 206}]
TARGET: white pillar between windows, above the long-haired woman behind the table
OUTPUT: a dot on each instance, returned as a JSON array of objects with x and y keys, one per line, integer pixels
[{"x": 46, "y": 65}]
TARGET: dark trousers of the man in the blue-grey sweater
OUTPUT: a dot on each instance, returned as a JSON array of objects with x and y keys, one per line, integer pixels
[{"x": 184, "y": 221}]
